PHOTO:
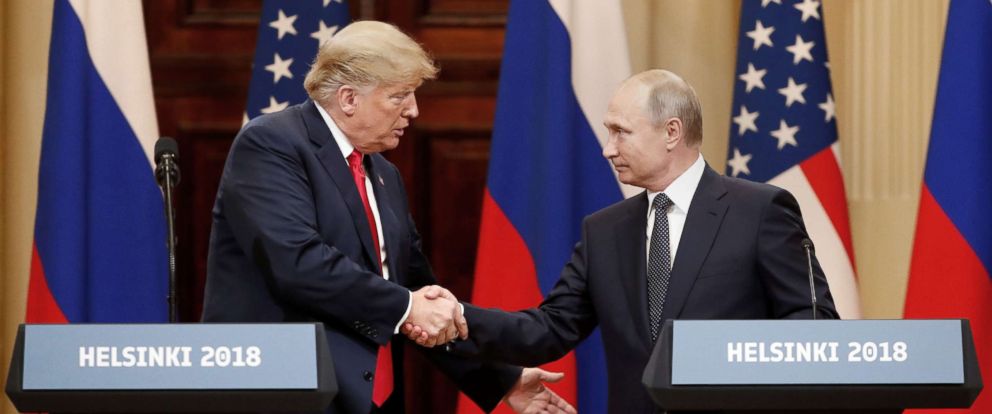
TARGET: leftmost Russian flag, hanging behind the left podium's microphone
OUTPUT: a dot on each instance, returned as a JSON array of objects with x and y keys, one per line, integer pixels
[{"x": 99, "y": 243}]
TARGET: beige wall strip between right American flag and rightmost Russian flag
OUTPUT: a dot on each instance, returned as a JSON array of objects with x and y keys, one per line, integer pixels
[{"x": 885, "y": 56}]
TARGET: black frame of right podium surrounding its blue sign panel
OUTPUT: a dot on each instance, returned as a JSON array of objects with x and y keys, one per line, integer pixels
[{"x": 807, "y": 397}]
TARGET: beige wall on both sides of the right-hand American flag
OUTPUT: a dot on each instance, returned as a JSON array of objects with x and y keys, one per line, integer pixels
[{"x": 884, "y": 55}]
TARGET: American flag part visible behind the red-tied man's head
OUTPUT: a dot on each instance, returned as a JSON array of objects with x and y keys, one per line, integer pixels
[{"x": 289, "y": 34}]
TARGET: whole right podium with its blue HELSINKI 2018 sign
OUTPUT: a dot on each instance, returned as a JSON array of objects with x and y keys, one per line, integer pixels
[{"x": 814, "y": 366}]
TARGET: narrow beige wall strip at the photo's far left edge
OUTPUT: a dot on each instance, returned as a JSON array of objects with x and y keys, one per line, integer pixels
[{"x": 23, "y": 67}]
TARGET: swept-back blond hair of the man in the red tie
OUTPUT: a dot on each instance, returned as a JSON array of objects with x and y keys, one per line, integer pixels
[{"x": 367, "y": 54}]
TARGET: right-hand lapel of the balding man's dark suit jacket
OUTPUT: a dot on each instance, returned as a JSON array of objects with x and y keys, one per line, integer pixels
[{"x": 701, "y": 225}]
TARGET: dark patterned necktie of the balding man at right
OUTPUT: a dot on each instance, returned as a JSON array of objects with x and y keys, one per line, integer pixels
[{"x": 659, "y": 263}]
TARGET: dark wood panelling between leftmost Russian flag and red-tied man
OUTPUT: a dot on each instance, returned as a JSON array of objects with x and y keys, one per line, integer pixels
[{"x": 200, "y": 53}]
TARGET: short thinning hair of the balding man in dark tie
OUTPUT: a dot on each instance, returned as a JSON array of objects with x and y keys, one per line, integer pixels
[{"x": 669, "y": 96}]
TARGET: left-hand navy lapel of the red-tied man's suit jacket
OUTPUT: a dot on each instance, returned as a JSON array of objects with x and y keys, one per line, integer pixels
[{"x": 329, "y": 155}]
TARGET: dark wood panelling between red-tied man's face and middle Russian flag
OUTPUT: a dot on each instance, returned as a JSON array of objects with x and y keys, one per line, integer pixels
[{"x": 451, "y": 147}]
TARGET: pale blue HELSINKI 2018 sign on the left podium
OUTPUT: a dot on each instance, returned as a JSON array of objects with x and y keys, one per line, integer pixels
[{"x": 169, "y": 357}]
